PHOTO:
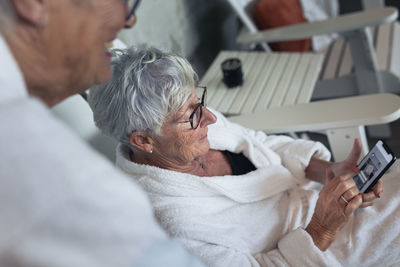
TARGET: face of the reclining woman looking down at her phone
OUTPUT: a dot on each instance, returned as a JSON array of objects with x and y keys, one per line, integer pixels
[{"x": 179, "y": 142}]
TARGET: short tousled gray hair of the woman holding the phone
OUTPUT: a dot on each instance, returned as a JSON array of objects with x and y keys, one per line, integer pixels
[{"x": 146, "y": 86}]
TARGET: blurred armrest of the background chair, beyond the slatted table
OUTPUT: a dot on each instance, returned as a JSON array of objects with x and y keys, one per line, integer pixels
[{"x": 345, "y": 23}]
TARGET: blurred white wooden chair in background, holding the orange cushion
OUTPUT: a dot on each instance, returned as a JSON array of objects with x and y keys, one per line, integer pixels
[{"x": 356, "y": 49}]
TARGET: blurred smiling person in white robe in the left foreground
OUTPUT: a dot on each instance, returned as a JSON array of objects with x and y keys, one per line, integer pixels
[{"x": 61, "y": 203}]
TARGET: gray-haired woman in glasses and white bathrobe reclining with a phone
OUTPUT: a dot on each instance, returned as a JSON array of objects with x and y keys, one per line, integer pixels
[{"x": 234, "y": 196}]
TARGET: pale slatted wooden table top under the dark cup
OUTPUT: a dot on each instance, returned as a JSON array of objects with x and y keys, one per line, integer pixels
[{"x": 269, "y": 80}]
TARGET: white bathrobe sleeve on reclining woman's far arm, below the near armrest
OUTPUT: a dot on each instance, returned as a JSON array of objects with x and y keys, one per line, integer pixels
[{"x": 295, "y": 154}]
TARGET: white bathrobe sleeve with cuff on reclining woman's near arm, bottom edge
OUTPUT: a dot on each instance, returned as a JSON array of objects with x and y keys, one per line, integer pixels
[{"x": 290, "y": 252}]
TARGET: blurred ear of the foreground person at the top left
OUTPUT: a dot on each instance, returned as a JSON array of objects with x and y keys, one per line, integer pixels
[{"x": 32, "y": 11}]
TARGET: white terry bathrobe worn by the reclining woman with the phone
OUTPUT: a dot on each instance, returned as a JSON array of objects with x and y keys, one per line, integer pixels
[{"x": 256, "y": 219}]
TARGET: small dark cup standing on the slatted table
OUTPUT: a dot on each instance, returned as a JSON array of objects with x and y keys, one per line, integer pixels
[{"x": 232, "y": 72}]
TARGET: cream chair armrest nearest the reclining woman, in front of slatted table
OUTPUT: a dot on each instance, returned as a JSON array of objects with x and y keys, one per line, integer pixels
[{"x": 323, "y": 115}]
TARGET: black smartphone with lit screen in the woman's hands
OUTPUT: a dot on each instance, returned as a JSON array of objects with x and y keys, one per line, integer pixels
[{"x": 373, "y": 166}]
